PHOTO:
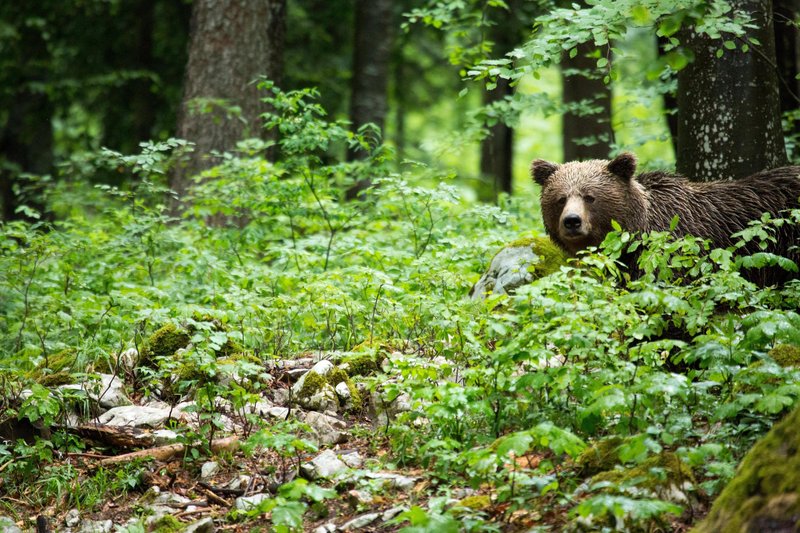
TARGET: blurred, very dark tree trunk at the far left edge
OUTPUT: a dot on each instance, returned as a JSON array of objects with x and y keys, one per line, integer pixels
[{"x": 26, "y": 137}]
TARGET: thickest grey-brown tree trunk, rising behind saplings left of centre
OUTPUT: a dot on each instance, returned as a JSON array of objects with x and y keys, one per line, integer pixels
[{"x": 230, "y": 46}]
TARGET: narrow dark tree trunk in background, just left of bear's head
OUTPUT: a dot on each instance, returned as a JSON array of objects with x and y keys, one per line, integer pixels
[{"x": 497, "y": 149}]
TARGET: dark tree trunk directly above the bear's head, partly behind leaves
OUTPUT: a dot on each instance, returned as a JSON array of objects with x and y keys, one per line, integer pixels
[{"x": 585, "y": 136}]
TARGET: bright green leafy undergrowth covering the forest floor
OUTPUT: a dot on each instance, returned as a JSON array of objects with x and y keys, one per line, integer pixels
[{"x": 271, "y": 261}]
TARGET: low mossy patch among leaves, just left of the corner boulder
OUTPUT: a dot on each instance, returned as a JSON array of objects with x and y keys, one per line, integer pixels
[{"x": 657, "y": 473}]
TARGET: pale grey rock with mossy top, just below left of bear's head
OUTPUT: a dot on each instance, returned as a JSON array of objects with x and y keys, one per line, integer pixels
[{"x": 519, "y": 263}]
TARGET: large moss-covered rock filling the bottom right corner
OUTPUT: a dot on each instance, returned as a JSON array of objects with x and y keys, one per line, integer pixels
[{"x": 764, "y": 495}]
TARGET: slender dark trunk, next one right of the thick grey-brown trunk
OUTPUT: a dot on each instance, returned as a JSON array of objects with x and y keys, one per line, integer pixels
[{"x": 372, "y": 50}]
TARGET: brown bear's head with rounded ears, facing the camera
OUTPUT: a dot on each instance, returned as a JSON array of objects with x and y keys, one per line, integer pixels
[{"x": 580, "y": 199}]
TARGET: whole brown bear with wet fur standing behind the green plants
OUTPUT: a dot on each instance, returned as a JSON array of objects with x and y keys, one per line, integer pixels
[{"x": 580, "y": 199}]
